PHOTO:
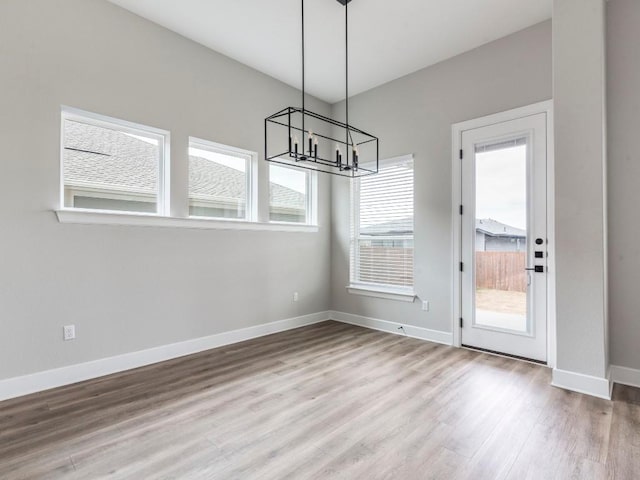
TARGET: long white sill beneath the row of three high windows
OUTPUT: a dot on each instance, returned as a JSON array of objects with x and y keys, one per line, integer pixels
[{"x": 92, "y": 217}]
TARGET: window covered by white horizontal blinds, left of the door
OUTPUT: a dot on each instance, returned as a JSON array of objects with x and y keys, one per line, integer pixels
[{"x": 382, "y": 227}]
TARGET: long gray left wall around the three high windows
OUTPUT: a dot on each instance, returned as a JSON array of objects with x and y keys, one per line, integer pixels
[{"x": 131, "y": 288}]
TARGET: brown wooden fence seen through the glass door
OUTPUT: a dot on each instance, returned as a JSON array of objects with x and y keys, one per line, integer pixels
[{"x": 501, "y": 271}]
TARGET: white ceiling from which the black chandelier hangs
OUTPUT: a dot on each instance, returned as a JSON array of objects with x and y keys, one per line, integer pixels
[{"x": 387, "y": 39}]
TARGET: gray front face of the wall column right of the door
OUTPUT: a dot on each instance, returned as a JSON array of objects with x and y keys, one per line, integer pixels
[{"x": 580, "y": 181}]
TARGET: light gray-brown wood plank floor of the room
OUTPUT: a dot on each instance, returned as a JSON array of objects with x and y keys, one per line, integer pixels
[{"x": 329, "y": 401}]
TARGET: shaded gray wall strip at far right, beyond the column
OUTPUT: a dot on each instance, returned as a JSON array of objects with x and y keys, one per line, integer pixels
[{"x": 623, "y": 90}]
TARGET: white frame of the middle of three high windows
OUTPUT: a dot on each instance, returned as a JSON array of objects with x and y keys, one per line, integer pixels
[{"x": 251, "y": 212}]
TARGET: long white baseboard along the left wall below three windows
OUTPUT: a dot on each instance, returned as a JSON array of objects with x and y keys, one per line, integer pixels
[{"x": 36, "y": 382}]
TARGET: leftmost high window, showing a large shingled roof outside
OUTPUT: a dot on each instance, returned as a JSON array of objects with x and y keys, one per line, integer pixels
[{"x": 110, "y": 164}]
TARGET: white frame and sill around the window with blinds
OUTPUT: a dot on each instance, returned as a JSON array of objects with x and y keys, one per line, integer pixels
[{"x": 389, "y": 292}]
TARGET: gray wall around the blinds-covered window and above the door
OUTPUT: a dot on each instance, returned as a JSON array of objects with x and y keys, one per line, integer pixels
[{"x": 414, "y": 114}]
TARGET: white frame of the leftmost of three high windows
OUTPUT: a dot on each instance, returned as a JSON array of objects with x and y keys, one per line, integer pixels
[{"x": 164, "y": 167}]
